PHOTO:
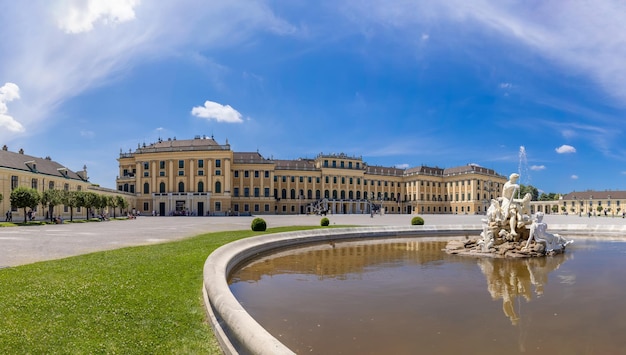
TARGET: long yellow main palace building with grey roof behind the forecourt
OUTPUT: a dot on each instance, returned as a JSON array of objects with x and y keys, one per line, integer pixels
[{"x": 202, "y": 177}]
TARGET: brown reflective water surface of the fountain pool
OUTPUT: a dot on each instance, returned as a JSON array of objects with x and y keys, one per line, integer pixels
[{"x": 407, "y": 296}]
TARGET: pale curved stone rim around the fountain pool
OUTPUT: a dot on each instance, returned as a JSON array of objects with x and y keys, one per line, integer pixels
[{"x": 238, "y": 332}]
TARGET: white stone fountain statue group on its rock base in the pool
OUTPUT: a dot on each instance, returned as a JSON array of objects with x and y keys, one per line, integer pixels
[{"x": 509, "y": 230}]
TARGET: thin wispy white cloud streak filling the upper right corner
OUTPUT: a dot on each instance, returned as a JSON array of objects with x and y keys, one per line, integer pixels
[{"x": 588, "y": 37}]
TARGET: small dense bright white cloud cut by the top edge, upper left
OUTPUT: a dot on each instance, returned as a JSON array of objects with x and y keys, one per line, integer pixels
[{"x": 75, "y": 16}]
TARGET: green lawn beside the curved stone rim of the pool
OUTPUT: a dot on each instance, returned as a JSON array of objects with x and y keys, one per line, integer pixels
[{"x": 139, "y": 300}]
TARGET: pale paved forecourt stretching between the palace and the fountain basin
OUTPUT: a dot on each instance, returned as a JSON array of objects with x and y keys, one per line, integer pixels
[{"x": 25, "y": 245}]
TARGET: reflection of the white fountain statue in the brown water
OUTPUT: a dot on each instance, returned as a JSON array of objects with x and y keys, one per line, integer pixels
[{"x": 512, "y": 278}]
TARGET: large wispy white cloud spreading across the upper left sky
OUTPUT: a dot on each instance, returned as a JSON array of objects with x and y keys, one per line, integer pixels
[{"x": 53, "y": 66}]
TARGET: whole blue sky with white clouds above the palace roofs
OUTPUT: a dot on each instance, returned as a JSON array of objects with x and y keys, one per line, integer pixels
[{"x": 399, "y": 83}]
